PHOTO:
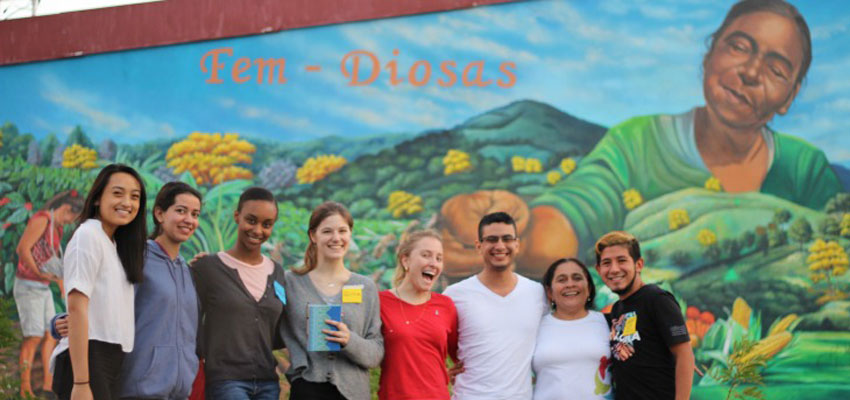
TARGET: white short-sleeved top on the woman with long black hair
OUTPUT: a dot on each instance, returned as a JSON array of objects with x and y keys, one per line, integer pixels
[{"x": 93, "y": 268}]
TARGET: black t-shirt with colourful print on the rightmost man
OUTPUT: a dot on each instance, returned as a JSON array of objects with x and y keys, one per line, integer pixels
[{"x": 643, "y": 328}]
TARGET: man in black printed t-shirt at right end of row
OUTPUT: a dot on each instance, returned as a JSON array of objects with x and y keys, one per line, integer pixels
[{"x": 650, "y": 345}]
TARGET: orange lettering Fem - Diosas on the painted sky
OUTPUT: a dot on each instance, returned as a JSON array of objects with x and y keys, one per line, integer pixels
[{"x": 360, "y": 68}]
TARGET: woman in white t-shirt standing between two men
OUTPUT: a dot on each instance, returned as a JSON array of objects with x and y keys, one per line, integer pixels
[{"x": 572, "y": 357}]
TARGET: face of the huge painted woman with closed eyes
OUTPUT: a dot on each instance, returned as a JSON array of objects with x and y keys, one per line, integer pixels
[{"x": 751, "y": 72}]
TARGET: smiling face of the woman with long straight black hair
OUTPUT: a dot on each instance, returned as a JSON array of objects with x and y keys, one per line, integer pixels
[{"x": 119, "y": 203}]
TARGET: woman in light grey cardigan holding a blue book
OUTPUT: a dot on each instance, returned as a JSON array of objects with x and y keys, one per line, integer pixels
[{"x": 324, "y": 279}]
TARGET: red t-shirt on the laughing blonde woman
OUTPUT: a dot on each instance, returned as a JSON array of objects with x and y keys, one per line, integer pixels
[{"x": 414, "y": 365}]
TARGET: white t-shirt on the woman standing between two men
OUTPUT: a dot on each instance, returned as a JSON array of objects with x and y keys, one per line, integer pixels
[{"x": 572, "y": 359}]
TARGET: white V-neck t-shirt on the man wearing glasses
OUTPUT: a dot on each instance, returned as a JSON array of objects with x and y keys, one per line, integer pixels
[{"x": 496, "y": 338}]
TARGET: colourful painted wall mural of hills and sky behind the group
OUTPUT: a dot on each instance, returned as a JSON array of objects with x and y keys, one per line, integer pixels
[{"x": 576, "y": 117}]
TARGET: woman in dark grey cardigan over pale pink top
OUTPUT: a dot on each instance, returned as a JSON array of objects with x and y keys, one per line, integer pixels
[{"x": 241, "y": 307}]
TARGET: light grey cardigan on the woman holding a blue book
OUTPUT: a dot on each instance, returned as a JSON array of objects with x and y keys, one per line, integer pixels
[{"x": 348, "y": 369}]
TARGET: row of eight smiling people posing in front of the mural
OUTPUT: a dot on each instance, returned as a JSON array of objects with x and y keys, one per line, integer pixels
[{"x": 142, "y": 321}]
